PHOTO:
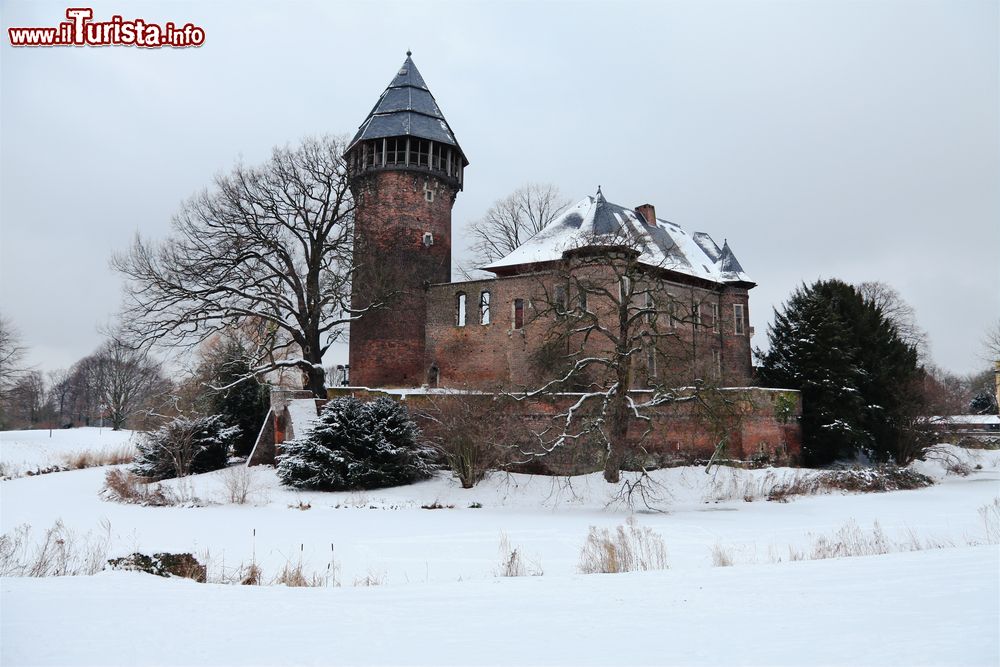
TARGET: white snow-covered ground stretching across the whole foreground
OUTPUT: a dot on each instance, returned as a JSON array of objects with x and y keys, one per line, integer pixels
[{"x": 437, "y": 597}]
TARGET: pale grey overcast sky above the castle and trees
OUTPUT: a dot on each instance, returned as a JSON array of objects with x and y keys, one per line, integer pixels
[{"x": 856, "y": 140}]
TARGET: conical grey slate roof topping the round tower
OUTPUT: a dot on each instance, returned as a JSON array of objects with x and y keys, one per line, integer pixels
[{"x": 407, "y": 108}]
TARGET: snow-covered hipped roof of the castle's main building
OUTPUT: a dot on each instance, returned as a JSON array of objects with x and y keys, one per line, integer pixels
[{"x": 595, "y": 222}]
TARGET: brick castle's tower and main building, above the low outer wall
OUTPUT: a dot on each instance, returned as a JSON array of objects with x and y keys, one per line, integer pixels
[{"x": 406, "y": 169}]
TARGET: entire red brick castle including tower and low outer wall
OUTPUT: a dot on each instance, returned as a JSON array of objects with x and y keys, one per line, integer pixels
[{"x": 598, "y": 283}]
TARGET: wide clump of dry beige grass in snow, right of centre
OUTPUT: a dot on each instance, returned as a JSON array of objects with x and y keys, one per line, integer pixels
[{"x": 628, "y": 548}]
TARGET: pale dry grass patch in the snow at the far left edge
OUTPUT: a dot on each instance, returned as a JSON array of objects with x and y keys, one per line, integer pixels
[{"x": 59, "y": 552}]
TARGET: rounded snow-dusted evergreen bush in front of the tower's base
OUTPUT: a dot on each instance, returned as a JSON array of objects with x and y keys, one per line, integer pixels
[{"x": 356, "y": 445}]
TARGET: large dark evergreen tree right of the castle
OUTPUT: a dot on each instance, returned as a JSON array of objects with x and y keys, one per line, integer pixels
[{"x": 859, "y": 380}]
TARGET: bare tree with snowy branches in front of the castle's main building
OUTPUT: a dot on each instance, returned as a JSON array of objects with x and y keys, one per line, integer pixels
[{"x": 615, "y": 324}]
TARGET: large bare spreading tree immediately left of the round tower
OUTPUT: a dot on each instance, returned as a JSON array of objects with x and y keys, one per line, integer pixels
[{"x": 270, "y": 246}]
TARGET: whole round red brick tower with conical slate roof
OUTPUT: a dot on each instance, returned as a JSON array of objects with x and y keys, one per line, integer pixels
[{"x": 405, "y": 168}]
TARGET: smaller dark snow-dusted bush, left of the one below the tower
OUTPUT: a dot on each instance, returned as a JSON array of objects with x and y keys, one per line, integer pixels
[{"x": 184, "y": 447}]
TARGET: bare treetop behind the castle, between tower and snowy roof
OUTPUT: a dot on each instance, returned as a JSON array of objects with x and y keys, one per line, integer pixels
[{"x": 511, "y": 221}]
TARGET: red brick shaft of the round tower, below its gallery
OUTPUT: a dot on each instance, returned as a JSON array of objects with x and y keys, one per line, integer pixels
[{"x": 393, "y": 214}]
